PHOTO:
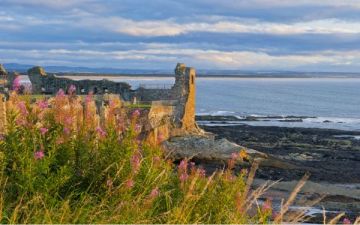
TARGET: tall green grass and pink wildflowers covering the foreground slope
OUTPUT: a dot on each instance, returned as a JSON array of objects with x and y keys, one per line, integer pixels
[{"x": 61, "y": 162}]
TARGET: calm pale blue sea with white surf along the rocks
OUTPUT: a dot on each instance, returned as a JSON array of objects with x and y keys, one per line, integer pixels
[{"x": 332, "y": 103}]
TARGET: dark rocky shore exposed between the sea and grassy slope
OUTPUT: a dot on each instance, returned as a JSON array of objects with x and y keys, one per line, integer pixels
[{"x": 332, "y": 157}]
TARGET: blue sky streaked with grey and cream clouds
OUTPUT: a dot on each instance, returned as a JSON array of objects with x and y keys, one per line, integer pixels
[{"x": 259, "y": 35}]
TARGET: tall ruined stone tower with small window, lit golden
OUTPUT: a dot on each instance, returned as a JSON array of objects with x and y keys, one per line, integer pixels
[{"x": 184, "y": 90}]
